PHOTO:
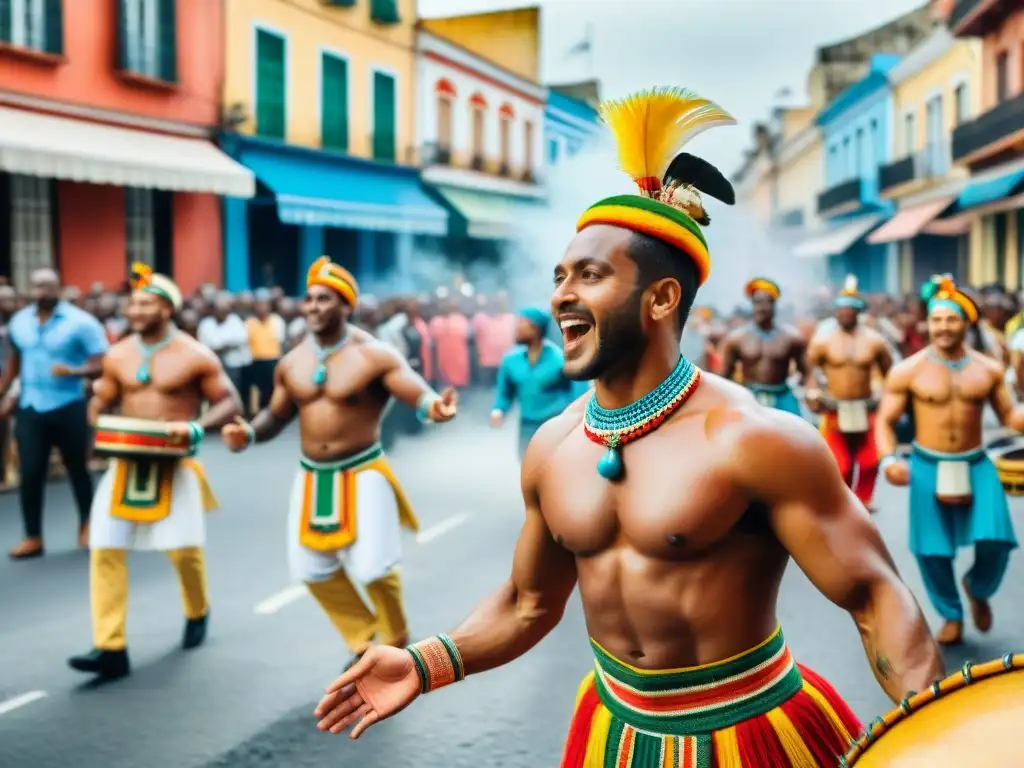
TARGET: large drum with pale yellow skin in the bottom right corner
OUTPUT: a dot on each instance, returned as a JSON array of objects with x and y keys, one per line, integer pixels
[{"x": 972, "y": 719}]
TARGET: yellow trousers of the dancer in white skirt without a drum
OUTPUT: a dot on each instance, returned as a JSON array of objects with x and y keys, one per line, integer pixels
[{"x": 354, "y": 620}]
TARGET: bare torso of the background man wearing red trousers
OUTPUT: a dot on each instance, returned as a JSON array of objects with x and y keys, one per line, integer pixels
[{"x": 848, "y": 360}]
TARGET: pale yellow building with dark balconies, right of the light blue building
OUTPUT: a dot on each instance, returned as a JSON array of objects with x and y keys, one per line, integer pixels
[{"x": 936, "y": 88}]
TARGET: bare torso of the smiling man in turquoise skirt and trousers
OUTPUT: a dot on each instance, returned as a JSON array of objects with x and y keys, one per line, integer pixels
[{"x": 949, "y": 405}]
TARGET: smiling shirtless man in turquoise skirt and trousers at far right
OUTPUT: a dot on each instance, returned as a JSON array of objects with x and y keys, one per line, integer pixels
[{"x": 957, "y": 499}]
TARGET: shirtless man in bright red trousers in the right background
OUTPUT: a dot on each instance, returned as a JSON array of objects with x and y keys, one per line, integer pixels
[{"x": 848, "y": 357}]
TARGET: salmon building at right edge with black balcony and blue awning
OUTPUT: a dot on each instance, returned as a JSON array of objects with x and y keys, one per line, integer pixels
[{"x": 991, "y": 146}]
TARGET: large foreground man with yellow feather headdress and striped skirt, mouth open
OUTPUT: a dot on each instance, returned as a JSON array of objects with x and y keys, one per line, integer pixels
[{"x": 678, "y": 562}]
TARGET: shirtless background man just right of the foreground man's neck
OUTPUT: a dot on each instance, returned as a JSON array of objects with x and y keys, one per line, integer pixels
[{"x": 766, "y": 351}]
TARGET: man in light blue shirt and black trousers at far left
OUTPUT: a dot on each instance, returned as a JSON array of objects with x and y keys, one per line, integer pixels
[{"x": 54, "y": 348}]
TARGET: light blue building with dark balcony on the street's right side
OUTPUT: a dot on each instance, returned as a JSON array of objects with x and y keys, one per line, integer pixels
[{"x": 857, "y": 134}]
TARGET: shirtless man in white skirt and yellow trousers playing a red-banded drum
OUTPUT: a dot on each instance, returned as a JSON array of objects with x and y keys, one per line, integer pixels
[{"x": 160, "y": 377}]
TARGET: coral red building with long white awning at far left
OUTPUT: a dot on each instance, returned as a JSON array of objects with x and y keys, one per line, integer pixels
[{"x": 107, "y": 112}]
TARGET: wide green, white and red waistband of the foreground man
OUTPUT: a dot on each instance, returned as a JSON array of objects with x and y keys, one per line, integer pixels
[{"x": 699, "y": 700}]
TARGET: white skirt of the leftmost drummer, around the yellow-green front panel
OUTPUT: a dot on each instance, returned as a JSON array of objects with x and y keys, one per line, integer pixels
[{"x": 185, "y": 527}]
